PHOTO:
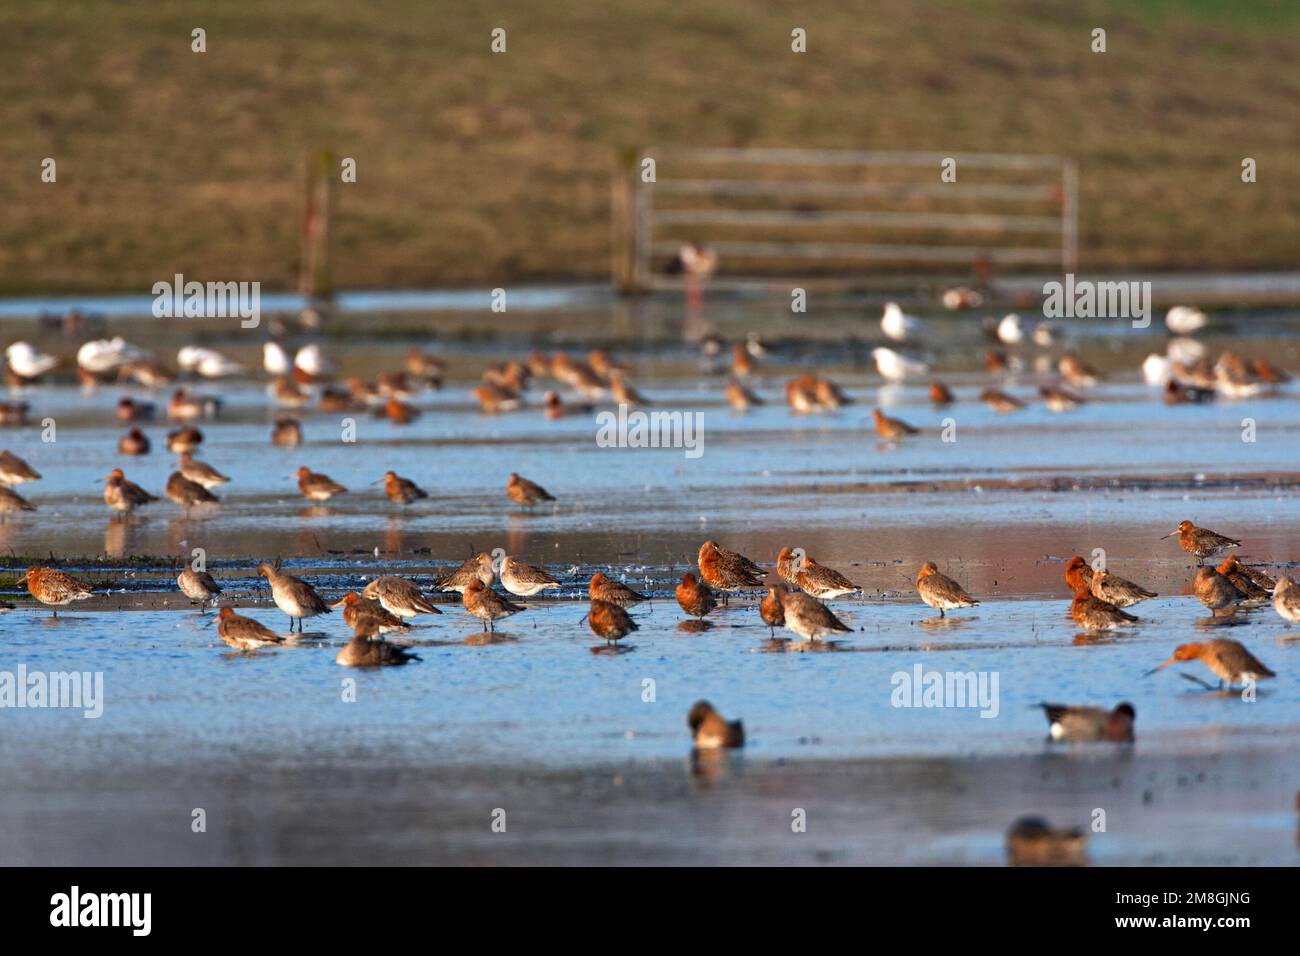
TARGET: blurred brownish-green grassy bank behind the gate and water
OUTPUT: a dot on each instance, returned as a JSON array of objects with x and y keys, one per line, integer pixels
[{"x": 486, "y": 170}]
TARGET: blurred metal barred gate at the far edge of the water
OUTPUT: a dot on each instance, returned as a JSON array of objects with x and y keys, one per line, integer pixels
[{"x": 842, "y": 217}]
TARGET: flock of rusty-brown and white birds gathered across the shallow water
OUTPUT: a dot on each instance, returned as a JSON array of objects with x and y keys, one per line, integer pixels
[{"x": 798, "y": 605}]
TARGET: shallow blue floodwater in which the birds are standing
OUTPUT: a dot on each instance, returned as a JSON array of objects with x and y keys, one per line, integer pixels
[{"x": 543, "y": 721}]
